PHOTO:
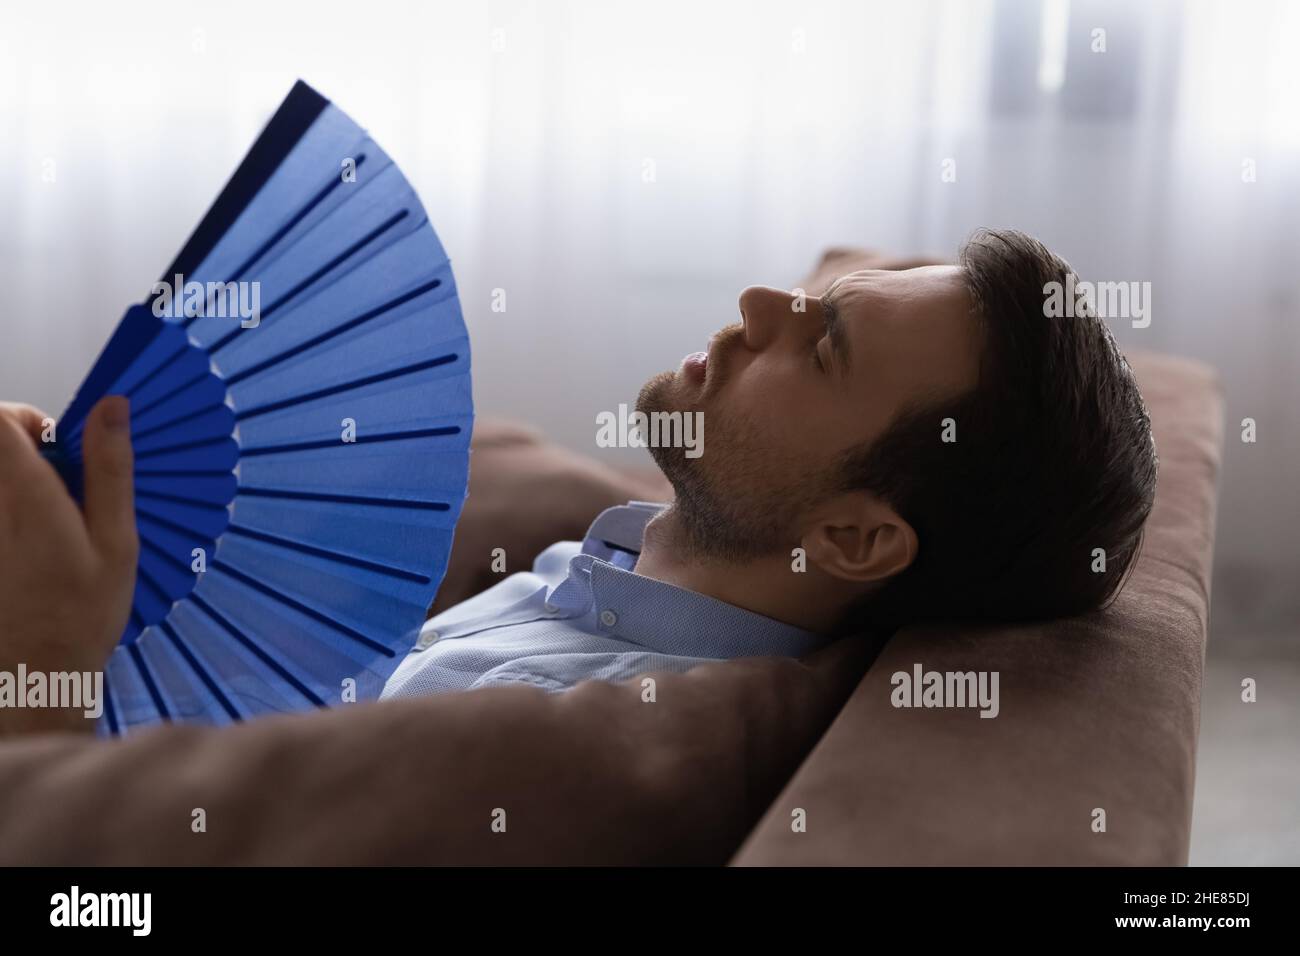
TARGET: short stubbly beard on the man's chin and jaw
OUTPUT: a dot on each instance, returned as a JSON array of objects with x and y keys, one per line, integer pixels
[{"x": 730, "y": 507}]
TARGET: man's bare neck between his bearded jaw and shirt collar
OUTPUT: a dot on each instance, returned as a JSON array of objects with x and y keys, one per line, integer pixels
[{"x": 769, "y": 586}]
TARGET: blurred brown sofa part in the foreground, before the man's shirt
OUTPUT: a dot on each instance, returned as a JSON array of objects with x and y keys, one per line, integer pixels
[{"x": 595, "y": 776}]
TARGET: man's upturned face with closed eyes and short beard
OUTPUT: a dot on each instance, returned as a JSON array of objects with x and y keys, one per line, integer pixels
[{"x": 792, "y": 387}]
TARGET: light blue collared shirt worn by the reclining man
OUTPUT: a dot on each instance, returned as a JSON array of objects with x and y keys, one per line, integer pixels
[{"x": 582, "y": 613}]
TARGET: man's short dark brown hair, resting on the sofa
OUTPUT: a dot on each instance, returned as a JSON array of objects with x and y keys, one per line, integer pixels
[{"x": 1054, "y": 457}]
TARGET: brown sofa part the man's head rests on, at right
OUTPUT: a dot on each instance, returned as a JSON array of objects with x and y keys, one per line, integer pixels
[{"x": 1097, "y": 712}]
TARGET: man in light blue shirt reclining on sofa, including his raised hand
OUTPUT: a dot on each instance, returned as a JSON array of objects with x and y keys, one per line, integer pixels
[{"x": 913, "y": 444}]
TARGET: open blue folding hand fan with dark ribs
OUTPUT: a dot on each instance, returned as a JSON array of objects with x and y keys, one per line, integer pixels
[{"x": 301, "y": 416}]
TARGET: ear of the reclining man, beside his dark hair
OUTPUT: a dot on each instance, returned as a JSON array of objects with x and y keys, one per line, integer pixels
[{"x": 859, "y": 538}]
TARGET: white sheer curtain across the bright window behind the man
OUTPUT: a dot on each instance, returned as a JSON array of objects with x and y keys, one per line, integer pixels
[{"x": 623, "y": 170}]
